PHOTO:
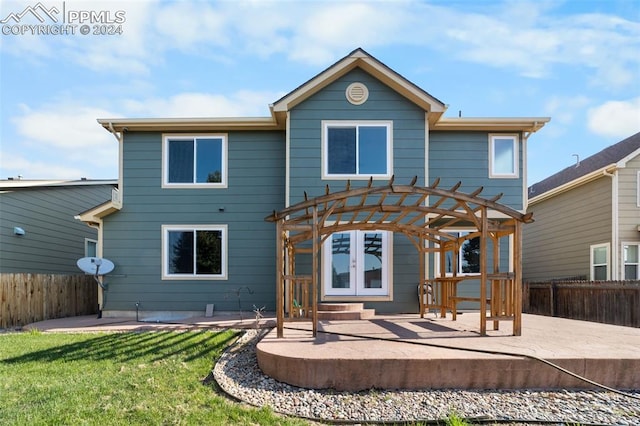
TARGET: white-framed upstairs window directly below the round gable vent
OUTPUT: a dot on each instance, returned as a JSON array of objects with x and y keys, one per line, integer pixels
[{"x": 357, "y": 149}]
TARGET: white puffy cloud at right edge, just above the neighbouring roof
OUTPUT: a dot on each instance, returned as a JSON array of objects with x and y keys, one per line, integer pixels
[{"x": 618, "y": 119}]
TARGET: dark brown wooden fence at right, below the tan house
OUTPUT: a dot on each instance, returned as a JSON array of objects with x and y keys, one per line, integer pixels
[{"x": 610, "y": 302}]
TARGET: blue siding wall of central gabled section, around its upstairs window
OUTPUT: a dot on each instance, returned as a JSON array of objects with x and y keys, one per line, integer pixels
[{"x": 408, "y": 161}]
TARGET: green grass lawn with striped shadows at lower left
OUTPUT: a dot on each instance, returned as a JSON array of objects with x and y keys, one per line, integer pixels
[{"x": 152, "y": 378}]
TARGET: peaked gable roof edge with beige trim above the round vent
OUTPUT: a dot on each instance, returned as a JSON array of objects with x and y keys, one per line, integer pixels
[{"x": 361, "y": 59}]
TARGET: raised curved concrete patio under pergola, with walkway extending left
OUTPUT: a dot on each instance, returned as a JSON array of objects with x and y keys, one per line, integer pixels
[{"x": 409, "y": 352}]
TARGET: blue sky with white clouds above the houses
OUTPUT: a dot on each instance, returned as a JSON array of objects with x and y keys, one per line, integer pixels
[{"x": 575, "y": 61}]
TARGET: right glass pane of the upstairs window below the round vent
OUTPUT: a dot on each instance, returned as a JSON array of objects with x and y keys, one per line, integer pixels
[{"x": 372, "y": 154}]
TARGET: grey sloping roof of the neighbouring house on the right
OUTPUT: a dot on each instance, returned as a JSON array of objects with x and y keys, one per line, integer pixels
[{"x": 612, "y": 157}]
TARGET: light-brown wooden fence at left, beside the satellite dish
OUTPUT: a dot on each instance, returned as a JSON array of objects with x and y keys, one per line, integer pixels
[{"x": 27, "y": 298}]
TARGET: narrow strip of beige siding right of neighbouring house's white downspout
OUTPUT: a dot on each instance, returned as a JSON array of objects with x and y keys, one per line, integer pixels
[{"x": 628, "y": 206}]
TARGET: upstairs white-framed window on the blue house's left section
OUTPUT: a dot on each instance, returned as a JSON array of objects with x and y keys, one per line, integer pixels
[{"x": 194, "y": 161}]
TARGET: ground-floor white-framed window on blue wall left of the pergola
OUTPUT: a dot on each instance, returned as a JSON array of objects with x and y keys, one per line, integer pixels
[{"x": 194, "y": 251}]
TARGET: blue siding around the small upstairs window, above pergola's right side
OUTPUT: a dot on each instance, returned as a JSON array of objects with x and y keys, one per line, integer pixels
[{"x": 464, "y": 156}]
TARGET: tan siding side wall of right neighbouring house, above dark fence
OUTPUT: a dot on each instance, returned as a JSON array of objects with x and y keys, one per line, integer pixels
[{"x": 557, "y": 244}]
